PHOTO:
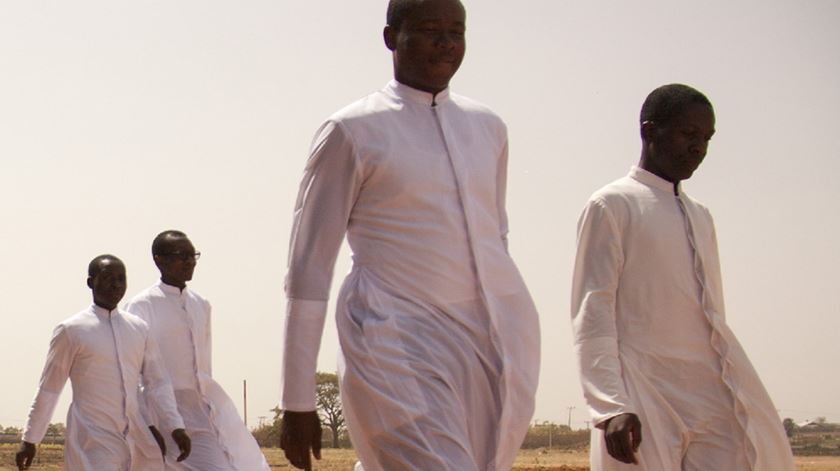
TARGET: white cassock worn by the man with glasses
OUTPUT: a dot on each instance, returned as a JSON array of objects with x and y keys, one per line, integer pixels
[{"x": 180, "y": 322}]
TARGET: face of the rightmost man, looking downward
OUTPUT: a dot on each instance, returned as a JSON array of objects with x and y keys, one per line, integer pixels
[{"x": 677, "y": 148}]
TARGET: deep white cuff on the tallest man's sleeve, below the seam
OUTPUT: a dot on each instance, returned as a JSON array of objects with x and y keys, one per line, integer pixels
[{"x": 304, "y": 327}]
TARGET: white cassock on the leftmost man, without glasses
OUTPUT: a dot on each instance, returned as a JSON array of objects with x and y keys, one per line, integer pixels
[{"x": 106, "y": 355}]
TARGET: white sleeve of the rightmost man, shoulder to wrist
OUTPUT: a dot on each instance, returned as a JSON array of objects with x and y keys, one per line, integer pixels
[{"x": 598, "y": 266}]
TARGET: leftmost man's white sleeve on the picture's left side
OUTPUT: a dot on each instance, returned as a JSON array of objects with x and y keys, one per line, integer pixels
[{"x": 54, "y": 377}]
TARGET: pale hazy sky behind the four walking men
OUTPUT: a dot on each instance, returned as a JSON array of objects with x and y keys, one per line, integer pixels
[{"x": 120, "y": 119}]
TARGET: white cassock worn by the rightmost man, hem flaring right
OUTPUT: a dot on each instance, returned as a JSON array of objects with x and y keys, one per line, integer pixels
[{"x": 650, "y": 335}]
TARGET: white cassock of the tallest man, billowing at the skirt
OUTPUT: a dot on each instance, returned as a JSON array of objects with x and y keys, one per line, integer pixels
[{"x": 439, "y": 336}]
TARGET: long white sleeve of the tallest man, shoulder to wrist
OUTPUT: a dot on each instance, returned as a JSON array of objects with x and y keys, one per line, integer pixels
[{"x": 328, "y": 192}]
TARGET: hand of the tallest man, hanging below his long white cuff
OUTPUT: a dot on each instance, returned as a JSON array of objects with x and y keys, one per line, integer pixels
[{"x": 299, "y": 432}]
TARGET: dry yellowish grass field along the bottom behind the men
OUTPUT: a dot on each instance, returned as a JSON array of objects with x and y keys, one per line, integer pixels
[{"x": 342, "y": 460}]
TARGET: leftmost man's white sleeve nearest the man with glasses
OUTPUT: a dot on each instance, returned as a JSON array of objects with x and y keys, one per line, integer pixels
[{"x": 157, "y": 389}]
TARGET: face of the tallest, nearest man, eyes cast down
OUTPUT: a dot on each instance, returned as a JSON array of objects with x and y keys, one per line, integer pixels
[{"x": 429, "y": 45}]
